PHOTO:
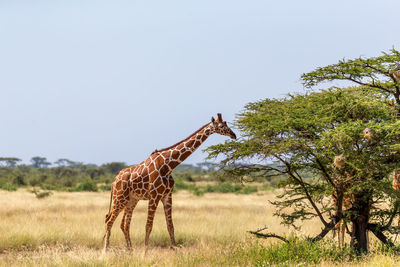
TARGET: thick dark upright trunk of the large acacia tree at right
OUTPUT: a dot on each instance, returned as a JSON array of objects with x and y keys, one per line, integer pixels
[{"x": 359, "y": 221}]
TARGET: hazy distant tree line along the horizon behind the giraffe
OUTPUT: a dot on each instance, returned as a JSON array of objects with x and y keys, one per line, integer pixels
[{"x": 68, "y": 175}]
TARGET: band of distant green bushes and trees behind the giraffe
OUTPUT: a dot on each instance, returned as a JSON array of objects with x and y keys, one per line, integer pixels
[{"x": 68, "y": 175}]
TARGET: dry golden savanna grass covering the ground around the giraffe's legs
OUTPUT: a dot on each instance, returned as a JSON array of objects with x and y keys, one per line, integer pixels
[{"x": 66, "y": 229}]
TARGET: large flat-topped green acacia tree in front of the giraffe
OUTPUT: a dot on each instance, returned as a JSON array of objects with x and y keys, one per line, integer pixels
[{"x": 303, "y": 134}]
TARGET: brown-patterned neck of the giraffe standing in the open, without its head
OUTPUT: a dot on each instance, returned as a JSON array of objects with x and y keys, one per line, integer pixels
[{"x": 177, "y": 153}]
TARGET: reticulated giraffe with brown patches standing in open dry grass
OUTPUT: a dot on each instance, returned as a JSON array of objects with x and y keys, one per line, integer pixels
[{"x": 151, "y": 180}]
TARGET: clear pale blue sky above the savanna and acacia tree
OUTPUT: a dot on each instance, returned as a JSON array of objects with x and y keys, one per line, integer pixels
[{"x": 100, "y": 81}]
